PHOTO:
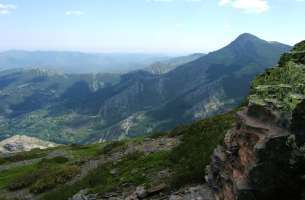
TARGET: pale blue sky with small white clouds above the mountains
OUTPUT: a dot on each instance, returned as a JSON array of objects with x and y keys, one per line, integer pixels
[{"x": 146, "y": 26}]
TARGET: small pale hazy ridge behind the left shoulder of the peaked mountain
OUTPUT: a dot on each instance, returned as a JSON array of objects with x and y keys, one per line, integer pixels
[{"x": 162, "y": 67}]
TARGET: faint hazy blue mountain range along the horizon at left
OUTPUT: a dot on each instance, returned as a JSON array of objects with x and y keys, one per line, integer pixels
[{"x": 77, "y": 62}]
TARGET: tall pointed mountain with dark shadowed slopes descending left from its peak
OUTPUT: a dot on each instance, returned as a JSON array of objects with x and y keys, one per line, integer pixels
[{"x": 209, "y": 85}]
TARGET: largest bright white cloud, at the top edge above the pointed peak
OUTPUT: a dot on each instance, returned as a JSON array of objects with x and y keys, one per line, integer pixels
[{"x": 247, "y": 6}]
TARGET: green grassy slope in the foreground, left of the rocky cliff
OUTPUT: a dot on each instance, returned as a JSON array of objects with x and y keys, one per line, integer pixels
[{"x": 185, "y": 162}]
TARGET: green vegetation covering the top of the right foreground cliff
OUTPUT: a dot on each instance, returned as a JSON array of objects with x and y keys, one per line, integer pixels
[{"x": 283, "y": 86}]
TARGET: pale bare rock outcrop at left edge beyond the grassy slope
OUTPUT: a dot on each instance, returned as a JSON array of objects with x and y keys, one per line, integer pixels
[{"x": 20, "y": 143}]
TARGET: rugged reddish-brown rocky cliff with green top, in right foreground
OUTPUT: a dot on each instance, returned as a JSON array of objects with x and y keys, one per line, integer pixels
[{"x": 262, "y": 157}]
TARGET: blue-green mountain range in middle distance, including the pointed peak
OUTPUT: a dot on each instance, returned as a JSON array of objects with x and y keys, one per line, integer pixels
[{"x": 84, "y": 108}]
